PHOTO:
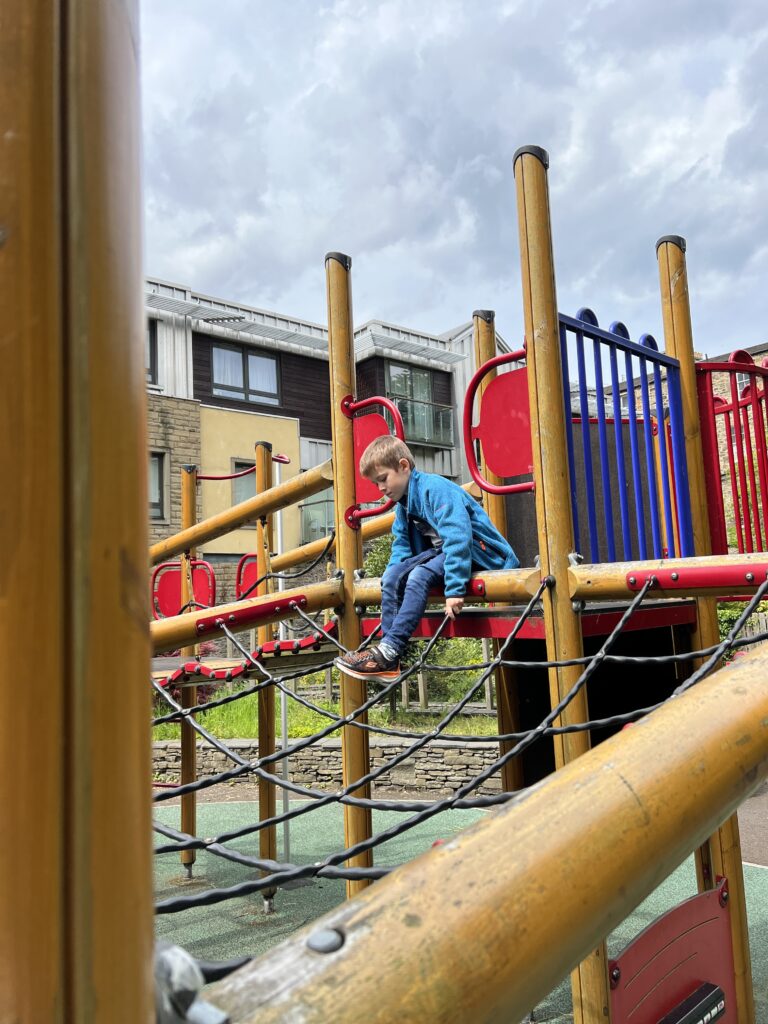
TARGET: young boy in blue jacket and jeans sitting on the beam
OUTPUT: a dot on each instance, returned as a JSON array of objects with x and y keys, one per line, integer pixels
[{"x": 442, "y": 535}]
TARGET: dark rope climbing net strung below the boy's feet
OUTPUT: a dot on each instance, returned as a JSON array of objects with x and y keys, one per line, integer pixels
[{"x": 275, "y": 874}]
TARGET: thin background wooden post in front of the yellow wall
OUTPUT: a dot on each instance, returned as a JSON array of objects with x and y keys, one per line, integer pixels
[{"x": 268, "y": 794}]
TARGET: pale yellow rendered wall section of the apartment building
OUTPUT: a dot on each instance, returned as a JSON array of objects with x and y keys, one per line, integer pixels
[{"x": 226, "y": 436}]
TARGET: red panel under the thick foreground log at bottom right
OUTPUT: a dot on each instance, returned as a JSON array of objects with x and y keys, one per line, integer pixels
[{"x": 668, "y": 962}]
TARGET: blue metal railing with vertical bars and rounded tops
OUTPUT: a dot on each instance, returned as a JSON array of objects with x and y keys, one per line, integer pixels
[{"x": 657, "y": 485}]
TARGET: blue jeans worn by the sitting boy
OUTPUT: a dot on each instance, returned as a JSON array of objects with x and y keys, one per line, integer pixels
[{"x": 405, "y": 591}]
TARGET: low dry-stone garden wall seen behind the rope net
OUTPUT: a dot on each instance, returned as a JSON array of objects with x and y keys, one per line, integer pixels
[{"x": 438, "y": 770}]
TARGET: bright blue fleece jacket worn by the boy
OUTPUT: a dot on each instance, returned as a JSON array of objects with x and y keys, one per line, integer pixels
[{"x": 467, "y": 534}]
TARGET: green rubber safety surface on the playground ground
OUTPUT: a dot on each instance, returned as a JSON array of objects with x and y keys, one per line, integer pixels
[{"x": 240, "y": 927}]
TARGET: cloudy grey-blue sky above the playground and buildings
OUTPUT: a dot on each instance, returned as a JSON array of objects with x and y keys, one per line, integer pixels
[{"x": 276, "y": 131}]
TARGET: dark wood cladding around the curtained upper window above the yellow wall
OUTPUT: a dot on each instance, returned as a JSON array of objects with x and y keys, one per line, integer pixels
[{"x": 305, "y": 389}]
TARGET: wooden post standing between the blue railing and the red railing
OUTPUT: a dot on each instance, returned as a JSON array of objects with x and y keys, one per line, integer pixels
[{"x": 722, "y": 855}]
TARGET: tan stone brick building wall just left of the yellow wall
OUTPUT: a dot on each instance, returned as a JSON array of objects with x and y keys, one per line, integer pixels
[{"x": 174, "y": 426}]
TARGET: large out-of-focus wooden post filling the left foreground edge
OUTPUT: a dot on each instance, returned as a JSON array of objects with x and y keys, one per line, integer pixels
[{"x": 75, "y": 763}]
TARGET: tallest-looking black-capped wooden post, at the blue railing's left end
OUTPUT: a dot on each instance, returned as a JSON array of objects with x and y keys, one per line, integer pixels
[{"x": 563, "y": 628}]
